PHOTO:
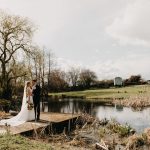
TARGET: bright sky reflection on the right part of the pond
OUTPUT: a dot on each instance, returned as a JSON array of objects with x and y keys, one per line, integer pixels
[{"x": 137, "y": 119}]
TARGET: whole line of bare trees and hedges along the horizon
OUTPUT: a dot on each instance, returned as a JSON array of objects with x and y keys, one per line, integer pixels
[{"x": 21, "y": 60}]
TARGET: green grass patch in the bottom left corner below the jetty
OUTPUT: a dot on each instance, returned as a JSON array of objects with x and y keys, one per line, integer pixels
[{"x": 17, "y": 142}]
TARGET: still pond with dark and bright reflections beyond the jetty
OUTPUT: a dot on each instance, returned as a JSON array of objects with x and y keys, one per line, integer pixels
[{"x": 139, "y": 120}]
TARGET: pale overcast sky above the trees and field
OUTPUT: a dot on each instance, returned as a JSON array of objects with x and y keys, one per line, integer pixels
[{"x": 111, "y": 37}]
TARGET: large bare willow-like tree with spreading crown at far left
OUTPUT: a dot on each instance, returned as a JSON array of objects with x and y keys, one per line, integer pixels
[{"x": 15, "y": 37}]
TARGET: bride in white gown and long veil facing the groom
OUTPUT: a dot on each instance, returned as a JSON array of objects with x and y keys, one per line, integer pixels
[{"x": 25, "y": 114}]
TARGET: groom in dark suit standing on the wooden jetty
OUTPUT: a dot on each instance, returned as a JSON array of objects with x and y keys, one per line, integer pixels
[{"x": 36, "y": 99}]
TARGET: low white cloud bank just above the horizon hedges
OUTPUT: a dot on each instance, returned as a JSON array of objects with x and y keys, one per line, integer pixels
[{"x": 108, "y": 69}]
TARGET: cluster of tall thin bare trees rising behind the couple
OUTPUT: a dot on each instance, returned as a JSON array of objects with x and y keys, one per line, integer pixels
[{"x": 40, "y": 65}]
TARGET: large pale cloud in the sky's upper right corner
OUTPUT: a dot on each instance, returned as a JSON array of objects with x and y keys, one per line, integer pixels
[{"x": 133, "y": 26}]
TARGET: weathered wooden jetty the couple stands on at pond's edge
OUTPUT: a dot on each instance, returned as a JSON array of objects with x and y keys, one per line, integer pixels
[{"x": 57, "y": 122}]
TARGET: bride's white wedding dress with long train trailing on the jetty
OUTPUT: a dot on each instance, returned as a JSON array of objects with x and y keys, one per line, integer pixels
[{"x": 24, "y": 115}]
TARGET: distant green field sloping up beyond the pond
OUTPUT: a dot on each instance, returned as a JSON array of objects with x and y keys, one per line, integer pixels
[{"x": 111, "y": 93}]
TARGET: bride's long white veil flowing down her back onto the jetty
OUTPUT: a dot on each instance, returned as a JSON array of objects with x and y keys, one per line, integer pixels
[{"x": 22, "y": 115}]
